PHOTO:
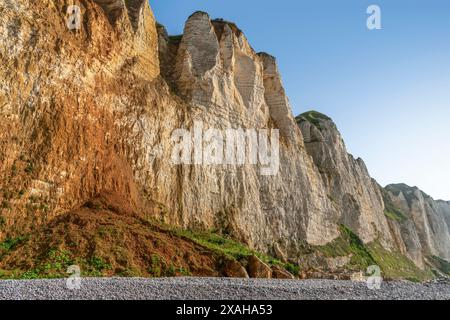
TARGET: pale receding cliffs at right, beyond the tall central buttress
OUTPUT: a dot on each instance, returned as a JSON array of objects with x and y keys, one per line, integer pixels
[{"x": 404, "y": 219}]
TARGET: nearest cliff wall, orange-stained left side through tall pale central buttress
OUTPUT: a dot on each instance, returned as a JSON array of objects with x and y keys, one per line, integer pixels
[{"x": 85, "y": 111}]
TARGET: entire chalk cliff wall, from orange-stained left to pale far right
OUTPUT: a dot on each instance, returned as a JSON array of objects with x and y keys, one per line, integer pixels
[{"x": 93, "y": 110}]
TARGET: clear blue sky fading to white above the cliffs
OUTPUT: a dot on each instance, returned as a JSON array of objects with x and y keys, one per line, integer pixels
[{"x": 387, "y": 90}]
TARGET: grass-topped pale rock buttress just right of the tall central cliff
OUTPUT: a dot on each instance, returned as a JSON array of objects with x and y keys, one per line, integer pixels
[{"x": 354, "y": 193}]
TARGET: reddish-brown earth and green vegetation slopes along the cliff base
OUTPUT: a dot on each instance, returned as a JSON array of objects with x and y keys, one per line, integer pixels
[{"x": 113, "y": 243}]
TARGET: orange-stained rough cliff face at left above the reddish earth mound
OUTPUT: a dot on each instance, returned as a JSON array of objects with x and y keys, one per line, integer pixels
[{"x": 74, "y": 105}]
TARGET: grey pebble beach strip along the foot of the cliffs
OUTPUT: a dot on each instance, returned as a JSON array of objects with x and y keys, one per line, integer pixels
[{"x": 219, "y": 288}]
